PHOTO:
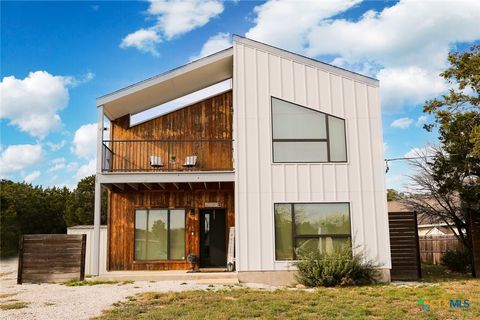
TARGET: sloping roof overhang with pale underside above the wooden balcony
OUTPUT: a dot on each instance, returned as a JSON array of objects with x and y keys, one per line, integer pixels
[{"x": 169, "y": 85}]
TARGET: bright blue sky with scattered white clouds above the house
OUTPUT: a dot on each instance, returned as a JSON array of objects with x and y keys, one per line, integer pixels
[{"x": 57, "y": 57}]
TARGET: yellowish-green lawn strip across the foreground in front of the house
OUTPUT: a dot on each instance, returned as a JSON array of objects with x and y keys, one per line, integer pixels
[{"x": 366, "y": 302}]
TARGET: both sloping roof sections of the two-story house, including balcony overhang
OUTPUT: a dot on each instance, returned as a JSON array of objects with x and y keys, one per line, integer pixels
[{"x": 197, "y": 75}]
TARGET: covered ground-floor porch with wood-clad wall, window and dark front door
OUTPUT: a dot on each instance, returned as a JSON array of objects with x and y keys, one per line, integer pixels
[{"x": 156, "y": 226}]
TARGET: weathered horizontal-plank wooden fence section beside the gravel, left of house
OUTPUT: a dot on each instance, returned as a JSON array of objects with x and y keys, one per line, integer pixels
[{"x": 51, "y": 258}]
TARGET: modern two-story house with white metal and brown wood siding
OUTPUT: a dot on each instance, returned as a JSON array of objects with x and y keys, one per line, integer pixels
[{"x": 286, "y": 149}]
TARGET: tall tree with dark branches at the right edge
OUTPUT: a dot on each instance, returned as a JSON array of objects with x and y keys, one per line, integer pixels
[{"x": 448, "y": 184}]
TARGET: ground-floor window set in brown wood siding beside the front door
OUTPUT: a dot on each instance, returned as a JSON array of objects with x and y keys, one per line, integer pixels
[{"x": 160, "y": 234}]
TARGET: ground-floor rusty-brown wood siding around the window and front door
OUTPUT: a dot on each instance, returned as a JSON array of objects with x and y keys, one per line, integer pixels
[{"x": 122, "y": 217}]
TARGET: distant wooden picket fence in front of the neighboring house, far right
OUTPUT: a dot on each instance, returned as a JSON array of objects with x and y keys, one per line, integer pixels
[{"x": 433, "y": 247}]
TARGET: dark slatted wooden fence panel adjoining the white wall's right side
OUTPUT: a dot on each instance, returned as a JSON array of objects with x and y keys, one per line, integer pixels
[{"x": 404, "y": 246}]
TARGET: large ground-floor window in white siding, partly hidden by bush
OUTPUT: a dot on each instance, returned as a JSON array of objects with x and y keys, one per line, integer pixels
[{"x": 301, "y": 227}]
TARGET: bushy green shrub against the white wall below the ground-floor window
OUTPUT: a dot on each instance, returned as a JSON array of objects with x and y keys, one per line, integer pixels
[{"x": 339, "y": 268}]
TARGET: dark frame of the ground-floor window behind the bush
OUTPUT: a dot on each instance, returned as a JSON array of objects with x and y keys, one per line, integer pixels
[{"x": 307, "y": 236}]
